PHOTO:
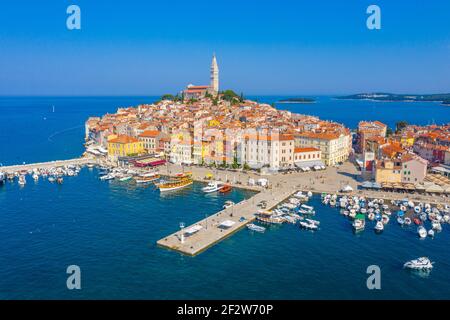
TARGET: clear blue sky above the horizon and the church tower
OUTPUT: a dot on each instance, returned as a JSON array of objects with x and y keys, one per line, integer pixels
[{"x": 263, "y": 47}]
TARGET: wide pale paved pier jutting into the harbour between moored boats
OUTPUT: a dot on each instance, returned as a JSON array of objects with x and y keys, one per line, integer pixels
[{"x": 212, "y": 232}]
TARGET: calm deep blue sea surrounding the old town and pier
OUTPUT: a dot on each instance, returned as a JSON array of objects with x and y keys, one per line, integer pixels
[{"x": 109, "y": 229}]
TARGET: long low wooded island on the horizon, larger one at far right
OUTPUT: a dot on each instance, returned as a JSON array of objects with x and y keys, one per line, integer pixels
[{"x": 444, "y": 98}]
